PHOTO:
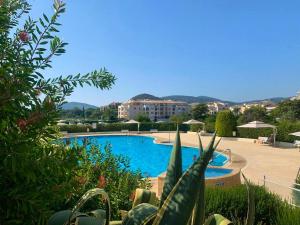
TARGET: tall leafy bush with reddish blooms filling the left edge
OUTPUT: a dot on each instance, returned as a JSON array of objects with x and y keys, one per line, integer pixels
[{"x": 37, "y": 175}]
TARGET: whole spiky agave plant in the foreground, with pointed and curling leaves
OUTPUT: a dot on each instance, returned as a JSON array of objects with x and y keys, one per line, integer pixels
[{"x": 182, "y": 200}]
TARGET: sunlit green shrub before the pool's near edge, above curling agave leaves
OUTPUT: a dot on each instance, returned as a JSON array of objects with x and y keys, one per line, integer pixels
[{"x": 99, "y": 167}]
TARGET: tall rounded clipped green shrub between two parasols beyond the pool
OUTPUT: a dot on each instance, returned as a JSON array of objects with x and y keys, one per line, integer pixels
[{"x": 225, "y": 123}]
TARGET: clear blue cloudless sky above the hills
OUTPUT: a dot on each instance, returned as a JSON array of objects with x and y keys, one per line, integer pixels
[{"x": 230, "y": 49}]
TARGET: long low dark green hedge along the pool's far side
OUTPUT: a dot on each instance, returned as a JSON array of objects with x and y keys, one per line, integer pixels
[{"x": 124, "y": 126}]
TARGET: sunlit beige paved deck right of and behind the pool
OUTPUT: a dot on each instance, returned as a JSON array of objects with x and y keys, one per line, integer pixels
[{"x": 279, "y": 165}]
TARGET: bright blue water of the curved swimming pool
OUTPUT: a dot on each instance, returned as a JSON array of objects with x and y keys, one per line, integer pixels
[{"x": 151, "y": 158}]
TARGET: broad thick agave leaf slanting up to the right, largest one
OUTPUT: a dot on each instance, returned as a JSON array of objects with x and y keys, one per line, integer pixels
[{"x": 177, "y": 208}]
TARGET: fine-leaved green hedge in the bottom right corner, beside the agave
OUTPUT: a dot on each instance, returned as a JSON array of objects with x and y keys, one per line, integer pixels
[{"x": 232, "y": 203}]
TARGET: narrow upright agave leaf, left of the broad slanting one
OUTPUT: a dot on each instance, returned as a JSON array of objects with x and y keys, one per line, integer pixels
[{"x": 174, "y": 170}]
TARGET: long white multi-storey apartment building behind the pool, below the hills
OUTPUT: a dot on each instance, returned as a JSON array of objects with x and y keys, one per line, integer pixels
[{"x": 154, "y": 109}]
